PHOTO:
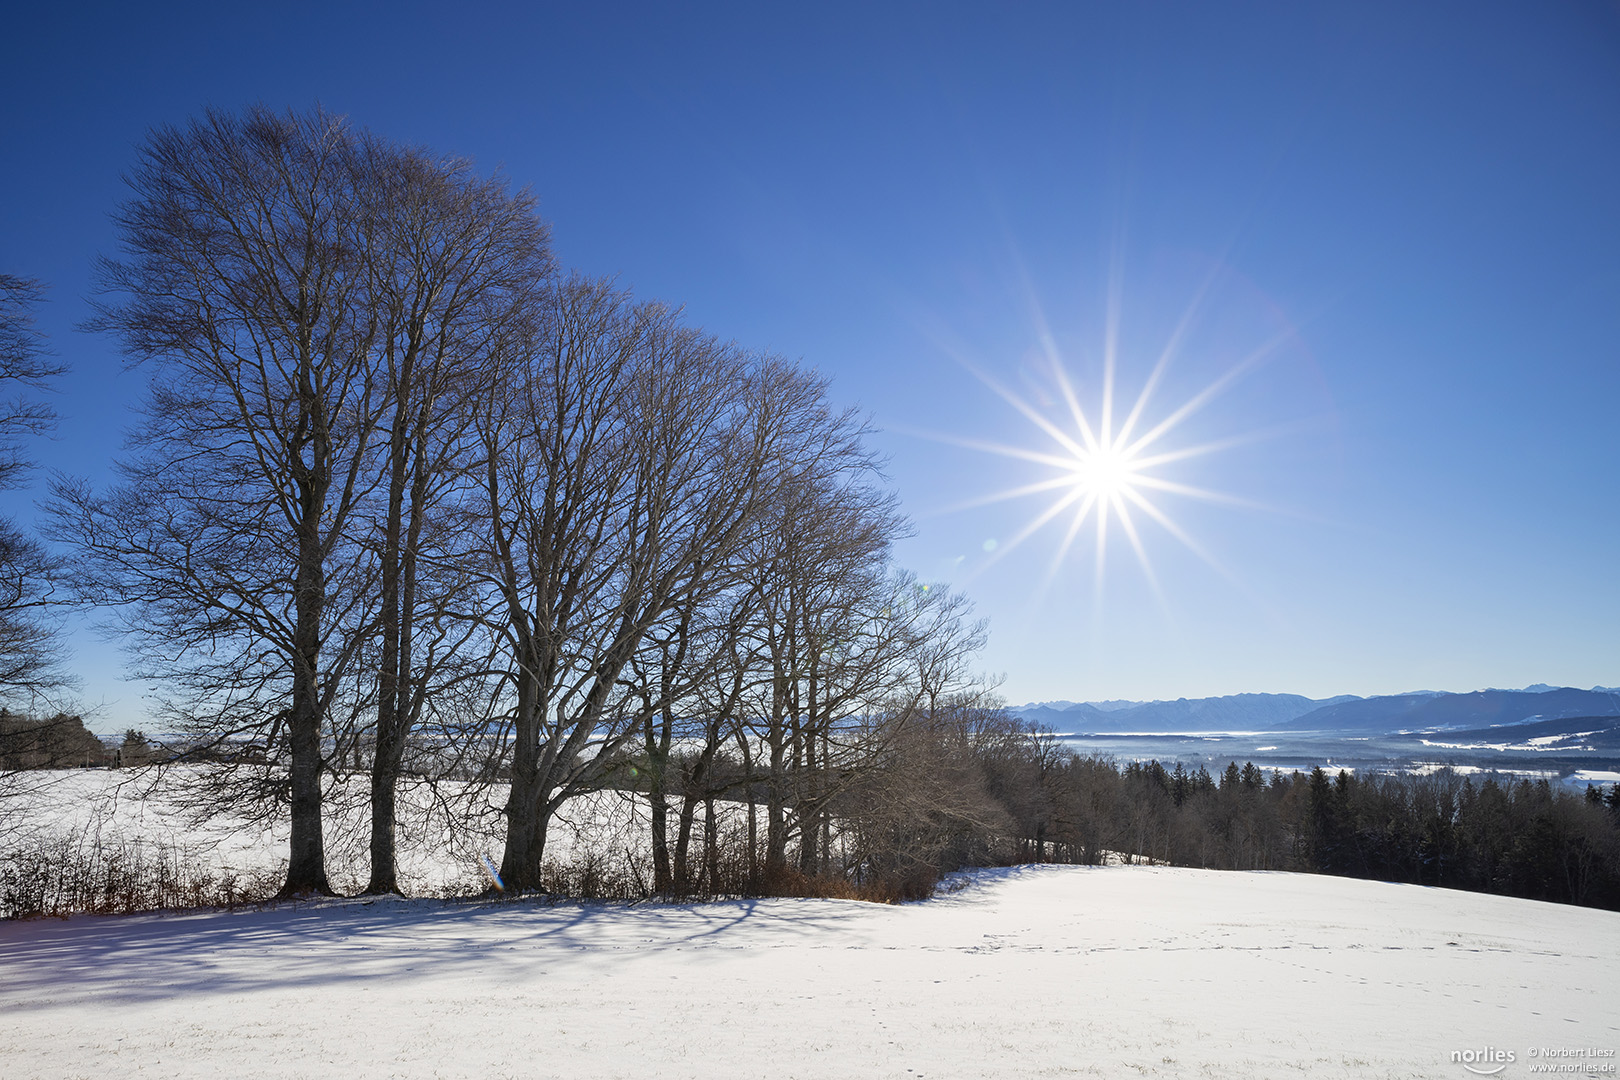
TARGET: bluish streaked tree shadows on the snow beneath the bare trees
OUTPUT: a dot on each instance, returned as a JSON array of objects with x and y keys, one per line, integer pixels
[{"x": 164, "y": 956}]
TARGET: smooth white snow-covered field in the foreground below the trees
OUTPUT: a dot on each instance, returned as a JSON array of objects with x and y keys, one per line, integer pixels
[{"x": 1034, "y": 972}]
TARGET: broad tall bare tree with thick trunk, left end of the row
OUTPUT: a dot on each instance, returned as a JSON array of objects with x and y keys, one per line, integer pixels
[{"x": 229, "y": 542}]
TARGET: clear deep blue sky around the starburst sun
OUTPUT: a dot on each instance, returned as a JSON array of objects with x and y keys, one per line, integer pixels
[{"x": 1412, "y": 205}]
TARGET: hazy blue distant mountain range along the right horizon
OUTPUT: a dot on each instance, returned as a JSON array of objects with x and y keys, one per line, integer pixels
[{"x": 1349, "y": 715}]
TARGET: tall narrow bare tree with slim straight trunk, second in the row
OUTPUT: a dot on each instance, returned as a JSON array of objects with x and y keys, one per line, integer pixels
[{"x": 454, "y": 265}]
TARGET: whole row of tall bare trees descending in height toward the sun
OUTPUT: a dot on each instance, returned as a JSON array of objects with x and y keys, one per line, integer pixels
[{"x": 407, "y": 498}]
